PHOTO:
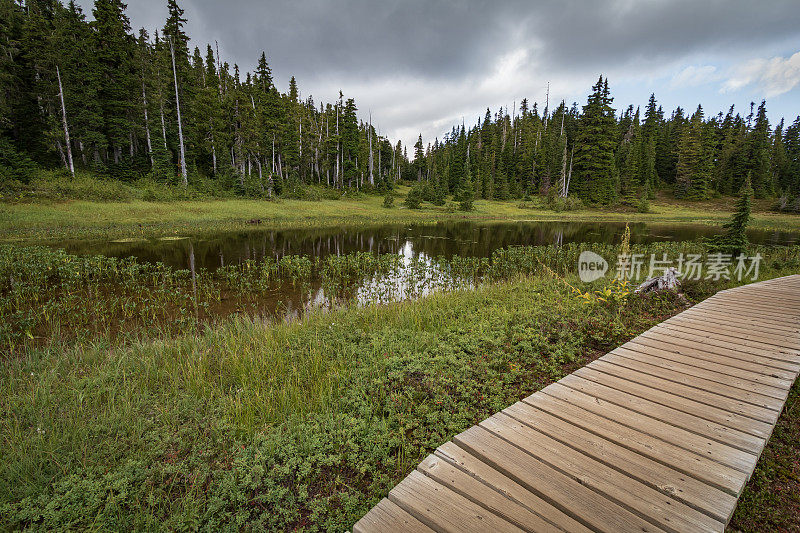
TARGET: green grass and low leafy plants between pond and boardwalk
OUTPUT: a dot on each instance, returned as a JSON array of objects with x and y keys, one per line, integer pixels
[{"x": 284, "y": 426}]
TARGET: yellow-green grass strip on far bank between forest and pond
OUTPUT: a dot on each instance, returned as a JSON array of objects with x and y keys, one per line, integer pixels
[{"x": 48, "y": 220}]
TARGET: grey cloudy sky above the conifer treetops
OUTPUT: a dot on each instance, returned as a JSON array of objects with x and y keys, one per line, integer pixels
[{"x": 419, "y": 66}]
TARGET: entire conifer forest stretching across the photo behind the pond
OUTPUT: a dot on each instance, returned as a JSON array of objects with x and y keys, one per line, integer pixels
[{"x": 122, "y": 105}]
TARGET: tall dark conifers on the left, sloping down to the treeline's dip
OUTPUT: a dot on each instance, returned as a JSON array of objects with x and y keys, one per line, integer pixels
[{"x": 95, "y": 96}]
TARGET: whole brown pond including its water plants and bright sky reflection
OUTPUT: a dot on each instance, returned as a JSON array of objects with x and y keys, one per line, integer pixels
[{"x": 284, "y": 273}]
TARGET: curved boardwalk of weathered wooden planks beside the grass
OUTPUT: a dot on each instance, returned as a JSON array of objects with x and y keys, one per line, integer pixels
[{"x": 661, "y": 434}]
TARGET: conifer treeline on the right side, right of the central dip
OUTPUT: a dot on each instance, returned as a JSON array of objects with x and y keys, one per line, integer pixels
[{"x": 603, "y": 157}]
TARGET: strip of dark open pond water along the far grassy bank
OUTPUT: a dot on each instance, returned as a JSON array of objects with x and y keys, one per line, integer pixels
[{"x": 470, "y": 239}]
